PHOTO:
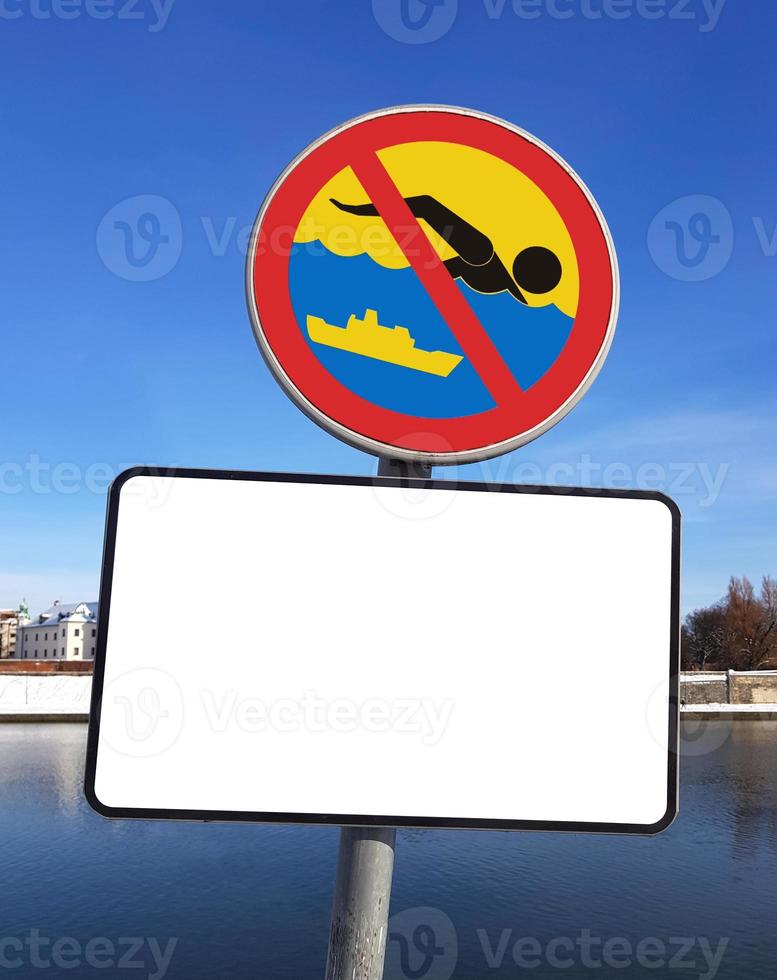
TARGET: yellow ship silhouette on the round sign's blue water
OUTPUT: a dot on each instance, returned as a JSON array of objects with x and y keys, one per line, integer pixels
[{"x": 392, "y": 344}]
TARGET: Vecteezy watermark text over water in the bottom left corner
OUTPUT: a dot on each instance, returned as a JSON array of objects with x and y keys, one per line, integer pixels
[{"x": 37, "y": 951}]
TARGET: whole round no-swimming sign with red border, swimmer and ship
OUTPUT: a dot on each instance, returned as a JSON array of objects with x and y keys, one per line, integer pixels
[{"x": 570, "y": 288}]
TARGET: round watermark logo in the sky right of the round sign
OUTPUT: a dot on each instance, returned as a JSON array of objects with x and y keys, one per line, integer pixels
[{"x": 692, "y": 238}]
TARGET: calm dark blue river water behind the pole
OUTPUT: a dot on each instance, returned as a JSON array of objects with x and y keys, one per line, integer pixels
[{"x": 249, "y": 901}]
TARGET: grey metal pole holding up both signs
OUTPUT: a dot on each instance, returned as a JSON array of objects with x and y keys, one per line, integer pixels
[{"x": 365, "y": 865}]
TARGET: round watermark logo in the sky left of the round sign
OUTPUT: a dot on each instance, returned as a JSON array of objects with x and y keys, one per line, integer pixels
[{"x": 140, "y": 239}]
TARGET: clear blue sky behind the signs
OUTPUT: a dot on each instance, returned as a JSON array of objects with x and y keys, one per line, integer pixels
[{"x": 657, "y": 104}]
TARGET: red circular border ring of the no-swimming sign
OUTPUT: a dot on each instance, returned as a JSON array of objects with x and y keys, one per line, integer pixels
[{"x": 474, "y": 434}]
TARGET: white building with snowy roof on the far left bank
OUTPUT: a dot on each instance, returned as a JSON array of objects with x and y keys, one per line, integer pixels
[{"x": 59, "y": 633}]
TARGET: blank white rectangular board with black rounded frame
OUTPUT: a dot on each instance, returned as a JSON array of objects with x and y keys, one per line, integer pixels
[{"x": 325, "y": 649}]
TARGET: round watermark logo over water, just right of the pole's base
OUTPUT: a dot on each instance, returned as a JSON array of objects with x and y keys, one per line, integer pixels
[{"x": 422, "y": 945}]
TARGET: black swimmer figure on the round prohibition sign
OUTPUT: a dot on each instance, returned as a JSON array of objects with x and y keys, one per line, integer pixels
[{"x": 535, "y": 269}]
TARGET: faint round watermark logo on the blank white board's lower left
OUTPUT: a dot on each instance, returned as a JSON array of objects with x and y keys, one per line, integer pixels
[{"x": 146, "y": 712}]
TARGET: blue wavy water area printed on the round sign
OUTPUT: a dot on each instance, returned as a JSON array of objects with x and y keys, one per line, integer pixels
[{"x": 333, "y": 287}]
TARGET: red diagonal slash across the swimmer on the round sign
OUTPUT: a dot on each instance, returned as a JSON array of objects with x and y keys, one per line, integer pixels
[{"x": 435, "y": 278}]
